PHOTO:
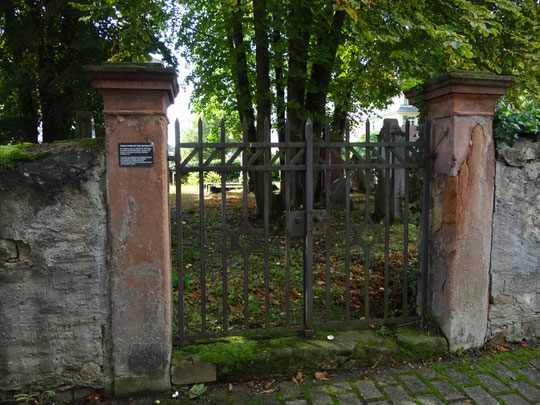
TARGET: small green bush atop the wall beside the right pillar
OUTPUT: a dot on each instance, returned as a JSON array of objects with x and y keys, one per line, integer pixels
[{"x": 511, "y": 122}]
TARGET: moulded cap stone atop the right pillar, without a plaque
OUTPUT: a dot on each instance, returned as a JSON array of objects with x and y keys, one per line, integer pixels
[{"x": 461, "y": 82}]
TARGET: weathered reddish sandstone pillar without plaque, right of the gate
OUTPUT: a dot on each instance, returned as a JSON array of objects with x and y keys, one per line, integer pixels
[{"x": 461, "y": 105}]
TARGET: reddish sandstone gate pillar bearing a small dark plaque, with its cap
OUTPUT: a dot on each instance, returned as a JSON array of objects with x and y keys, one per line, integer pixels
[{"x": 135, "y": 100}]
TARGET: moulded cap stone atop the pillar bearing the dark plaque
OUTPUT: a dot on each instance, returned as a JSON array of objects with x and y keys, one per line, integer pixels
[{"x": 133, "y": 76}]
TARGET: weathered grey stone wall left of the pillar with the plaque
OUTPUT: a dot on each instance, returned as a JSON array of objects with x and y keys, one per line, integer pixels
[{"x": 53, "y": 279}]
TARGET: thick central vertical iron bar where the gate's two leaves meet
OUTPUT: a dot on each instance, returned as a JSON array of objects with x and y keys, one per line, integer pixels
[{"x": 308, "y": 248}]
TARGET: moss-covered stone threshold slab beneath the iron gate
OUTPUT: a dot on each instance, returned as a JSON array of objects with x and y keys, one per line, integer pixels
[{"x": 241, "y": 358}]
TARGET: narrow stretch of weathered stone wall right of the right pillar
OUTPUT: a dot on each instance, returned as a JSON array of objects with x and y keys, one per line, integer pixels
[{"x": 514, "y": 311}]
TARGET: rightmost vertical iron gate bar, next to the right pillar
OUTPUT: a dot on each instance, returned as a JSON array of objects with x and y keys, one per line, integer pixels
[{"x": 425, "y": 215}]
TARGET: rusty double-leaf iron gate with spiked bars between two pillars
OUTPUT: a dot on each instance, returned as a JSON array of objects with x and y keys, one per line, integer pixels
[{"x": 347, "y": 252}]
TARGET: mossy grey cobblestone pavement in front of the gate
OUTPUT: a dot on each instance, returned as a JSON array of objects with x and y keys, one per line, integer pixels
[{"x": 505, "y": 378}]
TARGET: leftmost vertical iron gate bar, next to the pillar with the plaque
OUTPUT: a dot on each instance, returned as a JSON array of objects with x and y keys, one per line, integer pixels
[{"x": 179, "y": 233}]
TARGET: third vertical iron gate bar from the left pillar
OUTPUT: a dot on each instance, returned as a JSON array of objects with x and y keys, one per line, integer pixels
[{"x": 224, "y": 230}]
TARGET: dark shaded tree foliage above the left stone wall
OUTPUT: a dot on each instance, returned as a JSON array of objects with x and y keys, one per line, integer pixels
[{"x": 44, "y": 45}]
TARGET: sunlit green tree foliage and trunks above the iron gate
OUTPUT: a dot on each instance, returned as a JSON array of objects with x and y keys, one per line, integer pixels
[{"x": 326, "y": 59}]
